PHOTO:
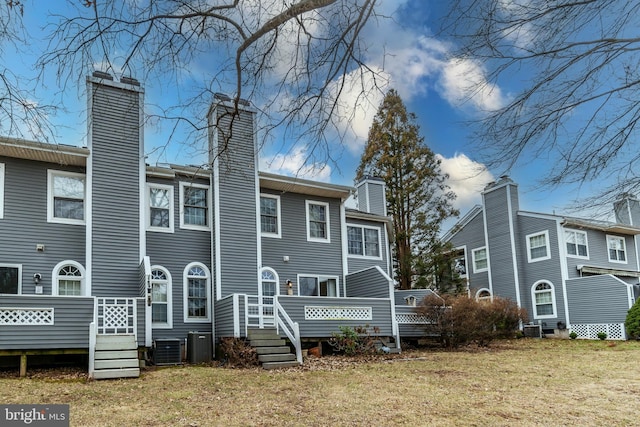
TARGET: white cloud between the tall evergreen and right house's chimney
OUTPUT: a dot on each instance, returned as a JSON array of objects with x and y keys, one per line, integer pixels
[{"x": 467, "y": 179}]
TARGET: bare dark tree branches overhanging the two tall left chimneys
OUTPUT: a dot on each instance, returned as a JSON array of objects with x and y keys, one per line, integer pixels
[{"x": 288, "y": 58}]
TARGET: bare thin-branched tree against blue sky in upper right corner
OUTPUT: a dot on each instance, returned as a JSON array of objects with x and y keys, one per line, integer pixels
[{"x": 579, "y": 63}]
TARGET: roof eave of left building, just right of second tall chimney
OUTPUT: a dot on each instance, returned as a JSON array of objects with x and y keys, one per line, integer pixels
[{"x": 303, "y": 186}]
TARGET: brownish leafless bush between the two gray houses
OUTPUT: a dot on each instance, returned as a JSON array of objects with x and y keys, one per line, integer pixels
[{"x": 460, "y": 320}]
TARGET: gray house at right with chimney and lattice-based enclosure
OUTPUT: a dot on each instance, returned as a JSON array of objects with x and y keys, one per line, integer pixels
[{"x": 566, "y": 272}]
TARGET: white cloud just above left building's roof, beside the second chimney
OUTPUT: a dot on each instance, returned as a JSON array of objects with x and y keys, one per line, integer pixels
[{"x": 296, "y": 163}]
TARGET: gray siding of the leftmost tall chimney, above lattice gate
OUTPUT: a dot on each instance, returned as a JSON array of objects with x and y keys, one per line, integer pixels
[{"x": 116, "y": 163}]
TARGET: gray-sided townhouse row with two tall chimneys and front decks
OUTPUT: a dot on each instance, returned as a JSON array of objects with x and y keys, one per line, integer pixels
[{"x": 98, "y": 248}]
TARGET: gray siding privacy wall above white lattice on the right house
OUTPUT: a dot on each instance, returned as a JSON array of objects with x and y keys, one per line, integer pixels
[{"x": 597, "y": 299}]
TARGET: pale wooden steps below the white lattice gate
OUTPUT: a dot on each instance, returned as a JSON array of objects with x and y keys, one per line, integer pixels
[{"x": 116, "y": 356}]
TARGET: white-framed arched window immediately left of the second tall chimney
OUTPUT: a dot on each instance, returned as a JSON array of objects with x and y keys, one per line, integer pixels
[{"x": 197, "y": 293}]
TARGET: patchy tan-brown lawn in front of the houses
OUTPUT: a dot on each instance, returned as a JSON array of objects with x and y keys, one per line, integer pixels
[{"x": 523, "y": 382}]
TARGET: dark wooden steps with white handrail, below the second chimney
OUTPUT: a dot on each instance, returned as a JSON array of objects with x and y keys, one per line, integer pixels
[{"x": 273, "y": 351}]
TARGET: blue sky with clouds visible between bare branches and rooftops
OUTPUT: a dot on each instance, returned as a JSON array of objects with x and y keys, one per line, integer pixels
[{"x": 417, "y": 64}]
